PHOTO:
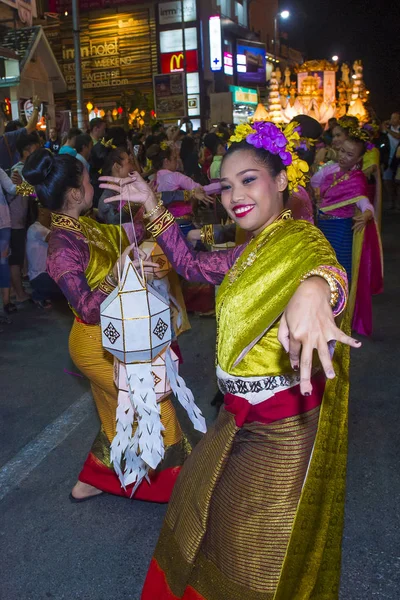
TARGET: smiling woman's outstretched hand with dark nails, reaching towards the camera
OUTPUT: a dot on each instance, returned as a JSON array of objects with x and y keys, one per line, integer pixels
[{"x": 307, "y": 325}]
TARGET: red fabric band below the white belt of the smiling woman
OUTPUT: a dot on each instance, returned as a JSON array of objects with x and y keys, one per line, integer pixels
[{"x": 282, "y": 405}]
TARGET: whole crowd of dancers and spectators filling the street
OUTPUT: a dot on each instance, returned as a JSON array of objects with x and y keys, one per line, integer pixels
[{"x": 287, "y": 222}]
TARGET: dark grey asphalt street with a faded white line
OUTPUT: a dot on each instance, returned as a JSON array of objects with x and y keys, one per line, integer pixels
[{"x": 100, "y": 550}]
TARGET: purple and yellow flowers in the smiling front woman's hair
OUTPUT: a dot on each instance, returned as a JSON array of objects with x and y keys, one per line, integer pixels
[{"x": 278, "y": 141}]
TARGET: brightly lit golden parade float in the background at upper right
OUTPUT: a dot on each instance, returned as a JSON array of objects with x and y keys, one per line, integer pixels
[{"x": 320, "y": 89}]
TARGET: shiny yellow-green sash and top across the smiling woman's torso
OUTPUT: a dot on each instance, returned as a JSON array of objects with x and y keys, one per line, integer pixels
[{"x": 256, "y": 291}]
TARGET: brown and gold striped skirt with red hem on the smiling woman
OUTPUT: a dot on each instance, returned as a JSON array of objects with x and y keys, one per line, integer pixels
[{"x": 231, "y": 515}]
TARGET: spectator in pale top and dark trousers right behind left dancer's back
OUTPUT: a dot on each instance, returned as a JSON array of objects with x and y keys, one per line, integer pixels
[{"x": 44, "y": 289}]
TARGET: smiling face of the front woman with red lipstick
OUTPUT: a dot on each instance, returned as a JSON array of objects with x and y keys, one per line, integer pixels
[{"x": 250, "y": 195}]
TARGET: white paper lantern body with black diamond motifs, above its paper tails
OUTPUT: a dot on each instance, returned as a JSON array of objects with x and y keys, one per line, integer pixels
[{"x": 135, "y": 319}]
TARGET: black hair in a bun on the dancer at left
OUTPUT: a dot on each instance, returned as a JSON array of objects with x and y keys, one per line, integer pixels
[{"x": 52, "y": 176}]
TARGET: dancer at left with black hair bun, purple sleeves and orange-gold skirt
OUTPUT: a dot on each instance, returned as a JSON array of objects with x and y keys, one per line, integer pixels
[{"x": 82, "y": 259}]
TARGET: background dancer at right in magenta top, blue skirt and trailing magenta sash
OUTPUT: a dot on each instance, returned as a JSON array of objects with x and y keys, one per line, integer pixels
[{"x": 346, "y": 217}]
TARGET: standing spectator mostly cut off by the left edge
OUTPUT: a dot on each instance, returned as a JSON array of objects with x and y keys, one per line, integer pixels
[{"x": 6, "y": 187}]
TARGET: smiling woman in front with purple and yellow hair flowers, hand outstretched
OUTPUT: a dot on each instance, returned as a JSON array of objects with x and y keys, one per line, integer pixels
[{"x": 257, "y": 511}]
